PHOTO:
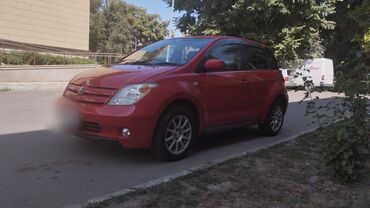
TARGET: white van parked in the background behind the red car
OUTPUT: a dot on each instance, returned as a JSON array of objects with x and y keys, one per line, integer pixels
[{"x": 319, "y": 72}]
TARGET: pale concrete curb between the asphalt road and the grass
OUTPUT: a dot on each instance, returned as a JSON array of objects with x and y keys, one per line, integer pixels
[{"x": 171, "y": 177}]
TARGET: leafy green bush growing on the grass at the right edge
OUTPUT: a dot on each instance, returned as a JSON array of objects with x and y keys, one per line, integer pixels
[{"x": 345, "y": 145}]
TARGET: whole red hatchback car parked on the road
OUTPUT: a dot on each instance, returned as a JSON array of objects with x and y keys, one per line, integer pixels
[{"x": 166, "y": 94}]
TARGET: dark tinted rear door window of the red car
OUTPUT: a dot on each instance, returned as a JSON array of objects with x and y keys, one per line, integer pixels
[{"x": 254, "y": 58}]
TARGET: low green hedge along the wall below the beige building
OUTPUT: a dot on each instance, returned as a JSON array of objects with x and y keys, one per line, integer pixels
[{"x": 30, "y": 58}]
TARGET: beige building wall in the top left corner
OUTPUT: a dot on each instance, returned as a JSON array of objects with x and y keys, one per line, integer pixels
[{"x": 49, "y": 25}]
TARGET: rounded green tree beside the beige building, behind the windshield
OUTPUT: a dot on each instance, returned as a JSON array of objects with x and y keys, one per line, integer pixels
[{"x": 118, "y": 27}]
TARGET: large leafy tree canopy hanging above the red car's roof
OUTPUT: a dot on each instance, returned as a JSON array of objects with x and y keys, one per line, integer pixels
[{"x": 291, "y": 27}]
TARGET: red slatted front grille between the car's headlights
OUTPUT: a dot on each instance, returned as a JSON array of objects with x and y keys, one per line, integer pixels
[{"x": 96, "y": 95}]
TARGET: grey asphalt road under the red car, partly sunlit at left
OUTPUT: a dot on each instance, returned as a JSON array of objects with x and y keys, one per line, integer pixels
[{"x": 40, "y": 167}]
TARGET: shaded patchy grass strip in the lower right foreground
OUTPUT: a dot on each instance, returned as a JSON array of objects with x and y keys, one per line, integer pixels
[{"x": 286, "y": 175}]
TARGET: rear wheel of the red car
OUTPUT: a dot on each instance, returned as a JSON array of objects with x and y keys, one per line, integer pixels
[{"x": 274, "y": 120}]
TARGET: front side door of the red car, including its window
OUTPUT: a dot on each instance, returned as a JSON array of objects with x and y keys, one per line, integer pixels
[{"x": 222, "y": 90}]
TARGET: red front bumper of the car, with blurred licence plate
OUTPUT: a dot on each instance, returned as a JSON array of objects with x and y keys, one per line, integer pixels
[{"x": 107, "y": 122}]
